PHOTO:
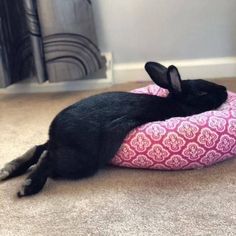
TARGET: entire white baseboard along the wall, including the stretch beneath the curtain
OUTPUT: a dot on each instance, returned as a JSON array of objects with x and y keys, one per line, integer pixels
[{"x": 211, "y": 68}]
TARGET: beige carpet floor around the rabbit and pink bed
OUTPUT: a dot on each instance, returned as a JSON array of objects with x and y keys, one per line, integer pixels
[{"x": 116, "y": 201}]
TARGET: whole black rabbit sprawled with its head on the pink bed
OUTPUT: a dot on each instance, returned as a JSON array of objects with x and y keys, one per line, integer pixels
[{"x": 85, "y": 136}]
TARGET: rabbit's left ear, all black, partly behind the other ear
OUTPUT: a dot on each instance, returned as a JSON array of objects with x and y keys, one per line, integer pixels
[{"x": 158, "y": 74}]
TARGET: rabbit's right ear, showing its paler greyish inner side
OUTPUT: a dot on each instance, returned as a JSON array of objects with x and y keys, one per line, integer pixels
[{"x": 174, "y": 79}]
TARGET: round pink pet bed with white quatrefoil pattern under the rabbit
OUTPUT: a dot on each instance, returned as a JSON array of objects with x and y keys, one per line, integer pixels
[{"x": 181, "y": 143}]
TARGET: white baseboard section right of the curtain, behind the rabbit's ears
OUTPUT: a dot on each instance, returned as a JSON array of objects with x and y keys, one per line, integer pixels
[{"x": 210, "y": 68}]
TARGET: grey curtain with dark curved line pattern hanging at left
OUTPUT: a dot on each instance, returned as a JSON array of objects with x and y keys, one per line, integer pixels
[{"x": 53, "y": 40}]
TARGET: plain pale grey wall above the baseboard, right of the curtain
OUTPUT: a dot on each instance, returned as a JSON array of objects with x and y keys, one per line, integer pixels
[{"x": 140, "y": 30}]
